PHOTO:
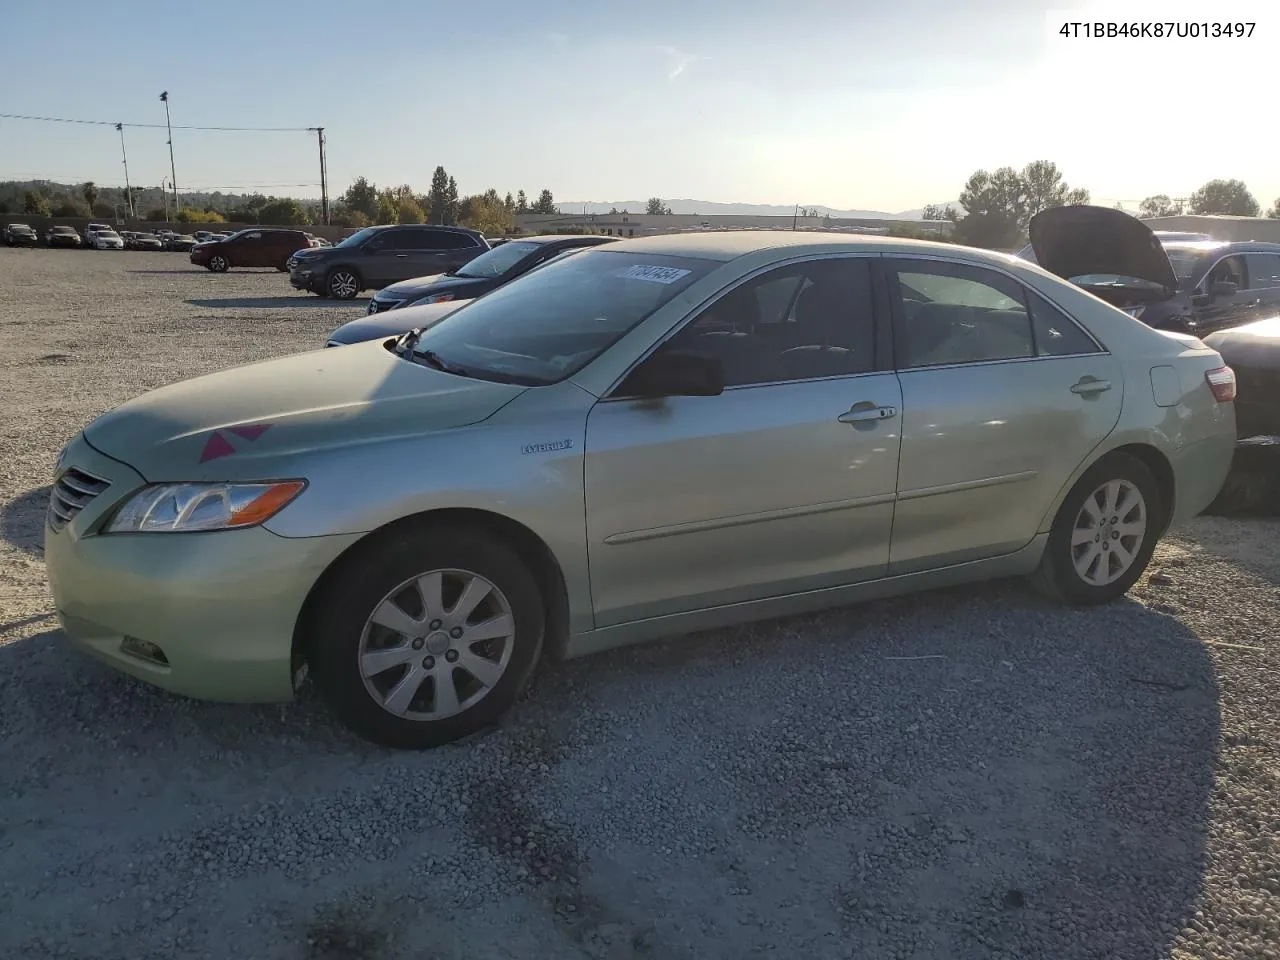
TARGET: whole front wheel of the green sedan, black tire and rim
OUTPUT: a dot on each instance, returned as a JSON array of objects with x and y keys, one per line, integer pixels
[{"x": 392, "y": 702}]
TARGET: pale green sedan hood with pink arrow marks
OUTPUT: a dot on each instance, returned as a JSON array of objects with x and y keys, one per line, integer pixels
[{"x": 254, "y": 422}]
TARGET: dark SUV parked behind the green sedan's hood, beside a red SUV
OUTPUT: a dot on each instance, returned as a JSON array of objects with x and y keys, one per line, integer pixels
[{"x": 380, "y": 257}]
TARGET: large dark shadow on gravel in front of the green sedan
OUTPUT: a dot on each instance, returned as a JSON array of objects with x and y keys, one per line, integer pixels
[{"x": 966, "y": 774}]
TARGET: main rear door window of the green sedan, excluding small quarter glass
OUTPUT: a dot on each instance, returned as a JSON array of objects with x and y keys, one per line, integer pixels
[{"x": 959, "y": 314}]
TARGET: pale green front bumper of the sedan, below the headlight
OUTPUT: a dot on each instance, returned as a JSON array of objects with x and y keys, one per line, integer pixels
[{"x": 221, "y": 606}]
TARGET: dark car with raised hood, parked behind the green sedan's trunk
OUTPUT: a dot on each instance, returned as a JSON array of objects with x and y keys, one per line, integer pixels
[{"x": 1186, "y": 286}]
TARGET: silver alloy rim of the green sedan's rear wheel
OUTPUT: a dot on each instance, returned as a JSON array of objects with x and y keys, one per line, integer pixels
[{"x": 1109, "y": 533}]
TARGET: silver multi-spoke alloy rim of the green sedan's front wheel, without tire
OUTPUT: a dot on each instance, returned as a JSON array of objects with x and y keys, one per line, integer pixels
[{"x": 437, "y": 644}]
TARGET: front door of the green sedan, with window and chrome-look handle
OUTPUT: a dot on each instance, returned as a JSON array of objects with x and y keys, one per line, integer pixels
[{"x": 784, "y": 483}]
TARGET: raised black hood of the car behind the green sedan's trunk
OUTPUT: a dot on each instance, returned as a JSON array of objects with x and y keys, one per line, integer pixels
[{"x": 1078, "y": 241}]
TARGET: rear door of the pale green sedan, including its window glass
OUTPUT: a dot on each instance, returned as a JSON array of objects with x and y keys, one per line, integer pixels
[{"x": 1003, "y": 397}]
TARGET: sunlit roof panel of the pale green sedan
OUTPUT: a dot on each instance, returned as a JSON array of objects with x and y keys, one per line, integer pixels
[{"x": 730, "y": 245}]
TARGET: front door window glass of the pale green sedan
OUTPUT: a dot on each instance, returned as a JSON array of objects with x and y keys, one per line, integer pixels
[{"x": 796, "y": 323}]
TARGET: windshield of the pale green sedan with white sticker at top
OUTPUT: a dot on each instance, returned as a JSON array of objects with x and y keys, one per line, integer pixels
[{"x": 548, "y": 324}]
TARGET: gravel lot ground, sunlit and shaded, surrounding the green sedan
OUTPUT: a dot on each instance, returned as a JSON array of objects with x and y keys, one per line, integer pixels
[{"x": 962, "y": 775}]
